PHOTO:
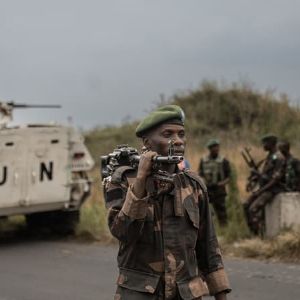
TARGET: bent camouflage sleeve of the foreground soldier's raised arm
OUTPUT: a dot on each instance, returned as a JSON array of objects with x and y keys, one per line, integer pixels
[{"x": 126, "y": 213}]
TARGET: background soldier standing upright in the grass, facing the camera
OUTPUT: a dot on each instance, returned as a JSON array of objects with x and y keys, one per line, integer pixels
[{"x": 215, "y": 170}]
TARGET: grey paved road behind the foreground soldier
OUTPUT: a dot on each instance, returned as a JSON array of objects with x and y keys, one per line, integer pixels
[{"x": 68, "y": 270}]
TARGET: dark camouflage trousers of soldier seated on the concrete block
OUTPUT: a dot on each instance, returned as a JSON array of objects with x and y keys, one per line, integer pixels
[{"x": 255, "y": 212}]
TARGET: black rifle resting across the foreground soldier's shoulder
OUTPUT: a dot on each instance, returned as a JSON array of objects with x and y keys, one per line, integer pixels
[{"x": 124, "y": 155}]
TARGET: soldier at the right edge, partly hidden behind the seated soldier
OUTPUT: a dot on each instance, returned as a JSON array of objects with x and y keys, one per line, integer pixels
[{"x": 292, "y": 169}]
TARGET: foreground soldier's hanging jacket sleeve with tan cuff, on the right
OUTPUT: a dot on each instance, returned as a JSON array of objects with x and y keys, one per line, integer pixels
[{"x": 208, "y": 252}]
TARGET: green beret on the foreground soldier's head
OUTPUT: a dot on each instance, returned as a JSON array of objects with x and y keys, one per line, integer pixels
[{"x": 164, "y": 114}]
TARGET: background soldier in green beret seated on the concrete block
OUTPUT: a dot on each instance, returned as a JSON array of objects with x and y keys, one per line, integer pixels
[{"x": 271, "y": 182}]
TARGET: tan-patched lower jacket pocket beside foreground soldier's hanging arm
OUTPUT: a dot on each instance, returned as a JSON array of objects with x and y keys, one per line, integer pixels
[{"x": 192, "y": 289}]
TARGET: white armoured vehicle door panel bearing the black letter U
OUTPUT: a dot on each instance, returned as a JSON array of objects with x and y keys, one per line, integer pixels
[{"x": 12, "y": 165}]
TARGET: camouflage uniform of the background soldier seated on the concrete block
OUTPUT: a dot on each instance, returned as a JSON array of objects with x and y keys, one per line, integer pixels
[{"x": 273, "y": 169}]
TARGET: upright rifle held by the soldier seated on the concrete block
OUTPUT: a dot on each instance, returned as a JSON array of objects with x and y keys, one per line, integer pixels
[{"x": 255, "y": 175}]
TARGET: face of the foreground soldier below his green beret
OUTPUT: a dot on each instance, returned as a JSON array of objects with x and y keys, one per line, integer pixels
[{"x": 158, "y": 139}]
